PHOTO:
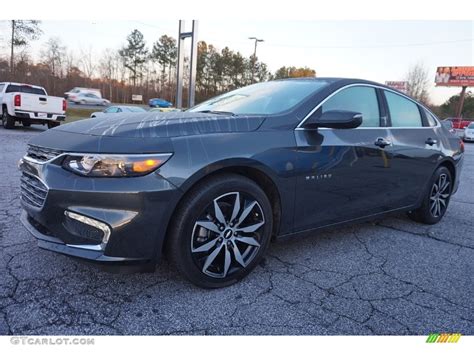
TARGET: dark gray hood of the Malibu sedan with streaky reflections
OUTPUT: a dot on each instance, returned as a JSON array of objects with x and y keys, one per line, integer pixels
[{"x": 162, "y": 124}]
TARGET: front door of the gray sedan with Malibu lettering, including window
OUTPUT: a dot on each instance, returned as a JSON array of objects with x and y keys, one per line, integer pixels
[{"x": 343, "y": 174}]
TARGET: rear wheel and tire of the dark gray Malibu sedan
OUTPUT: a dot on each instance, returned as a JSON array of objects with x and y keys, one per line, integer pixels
[{"x": 436, "y": 199}]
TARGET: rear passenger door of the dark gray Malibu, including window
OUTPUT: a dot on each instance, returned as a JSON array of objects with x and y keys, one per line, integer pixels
[{"x": 415, "y": 147}]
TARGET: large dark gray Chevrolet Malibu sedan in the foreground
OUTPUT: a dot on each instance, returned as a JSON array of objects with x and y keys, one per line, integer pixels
[{"x": 213, "y": 185}]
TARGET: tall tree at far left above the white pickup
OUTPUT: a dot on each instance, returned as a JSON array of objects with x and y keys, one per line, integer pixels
[{"x": 22, "y": 32}]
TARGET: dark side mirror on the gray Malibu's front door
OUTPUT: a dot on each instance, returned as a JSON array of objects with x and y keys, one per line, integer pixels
[{"x": 335, "y": 119}]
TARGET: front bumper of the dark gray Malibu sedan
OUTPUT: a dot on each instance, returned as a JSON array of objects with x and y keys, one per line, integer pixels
[{"x": 135, "y": 211}]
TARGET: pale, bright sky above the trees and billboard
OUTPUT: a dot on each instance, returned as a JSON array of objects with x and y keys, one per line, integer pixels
[{"x": 374, "y": 50}]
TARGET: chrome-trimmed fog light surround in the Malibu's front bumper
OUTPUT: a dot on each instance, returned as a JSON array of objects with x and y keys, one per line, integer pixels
[{"x": 87, "y": 228}]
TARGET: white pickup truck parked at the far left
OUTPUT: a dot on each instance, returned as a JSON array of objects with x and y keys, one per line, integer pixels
[{"x": 30, "y": 104}]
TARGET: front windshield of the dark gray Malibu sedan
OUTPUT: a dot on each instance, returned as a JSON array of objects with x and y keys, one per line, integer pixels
[{"x": 263, "y": 98}]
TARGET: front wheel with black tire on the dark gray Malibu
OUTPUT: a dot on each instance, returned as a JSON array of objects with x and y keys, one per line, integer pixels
[{"x": 220, "y": 231}]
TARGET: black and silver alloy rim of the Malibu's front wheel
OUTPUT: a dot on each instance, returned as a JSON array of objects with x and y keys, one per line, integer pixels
[{"x": 226, "y": 236}]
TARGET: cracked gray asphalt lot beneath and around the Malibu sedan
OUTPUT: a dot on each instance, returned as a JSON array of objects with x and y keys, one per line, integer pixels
[{"x": 391, "y": 276}]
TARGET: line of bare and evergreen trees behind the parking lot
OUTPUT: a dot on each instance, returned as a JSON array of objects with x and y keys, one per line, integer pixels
[{"x": 135, "y": 68}]
